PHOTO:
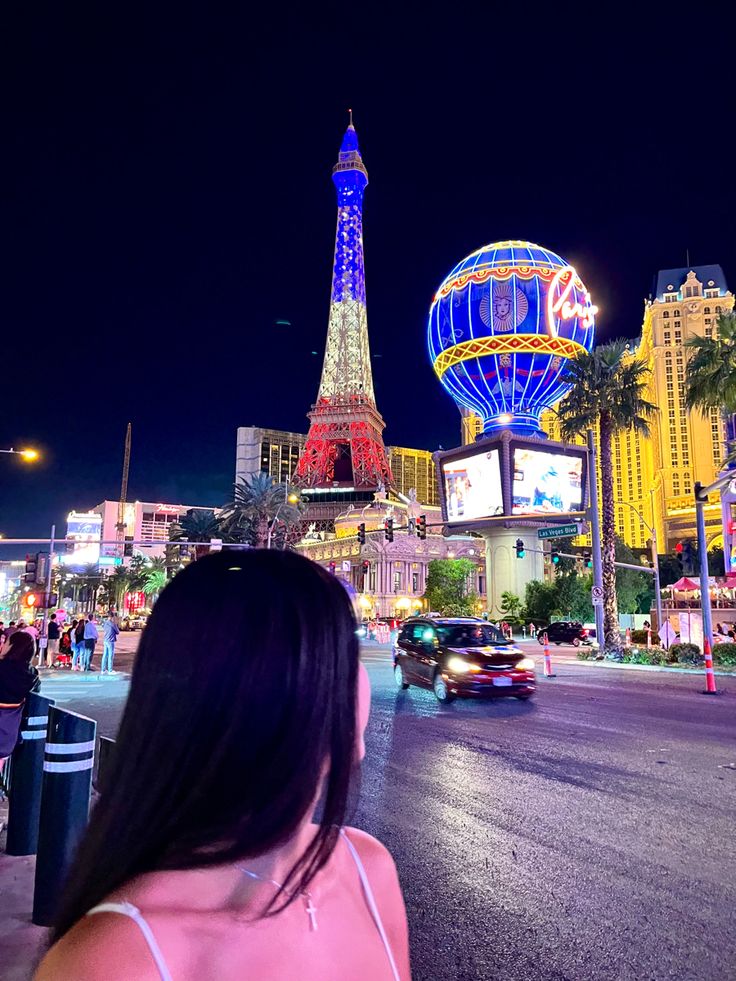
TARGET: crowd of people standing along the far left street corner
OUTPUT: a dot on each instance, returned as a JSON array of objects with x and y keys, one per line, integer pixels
[{"x": 66, "y": 640}]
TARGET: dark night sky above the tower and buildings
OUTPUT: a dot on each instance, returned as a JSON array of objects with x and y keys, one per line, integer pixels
[{"x": 167, "y": 198}]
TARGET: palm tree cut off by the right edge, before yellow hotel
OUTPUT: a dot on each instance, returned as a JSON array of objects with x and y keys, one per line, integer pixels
[{"x": 710, "y": 379}]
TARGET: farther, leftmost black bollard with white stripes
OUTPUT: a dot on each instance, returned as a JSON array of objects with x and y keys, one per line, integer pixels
[{"x": 27, "y": 763}]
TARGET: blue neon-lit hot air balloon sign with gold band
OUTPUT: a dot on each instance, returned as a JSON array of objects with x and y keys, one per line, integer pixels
[{"x": 501, "y": 328}]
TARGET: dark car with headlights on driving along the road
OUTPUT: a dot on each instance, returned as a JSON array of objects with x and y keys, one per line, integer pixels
[{"x": 461, "y": 656}]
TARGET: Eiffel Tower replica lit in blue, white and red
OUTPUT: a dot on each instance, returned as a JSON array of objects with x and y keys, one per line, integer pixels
[{"x": 344, "y": 462}]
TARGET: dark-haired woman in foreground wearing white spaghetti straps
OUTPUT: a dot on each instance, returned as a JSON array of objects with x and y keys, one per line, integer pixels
[{"x": 202, "y": 859}]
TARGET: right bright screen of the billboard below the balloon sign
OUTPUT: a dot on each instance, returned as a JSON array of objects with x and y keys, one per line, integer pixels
[{"x": 546, "y": 481}]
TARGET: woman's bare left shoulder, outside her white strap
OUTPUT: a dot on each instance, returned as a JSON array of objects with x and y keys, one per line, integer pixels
[{"x": 103, "y": 947}]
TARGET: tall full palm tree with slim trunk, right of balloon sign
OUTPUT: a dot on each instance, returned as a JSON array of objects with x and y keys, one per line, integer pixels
[{"x": 608, "y": 392}]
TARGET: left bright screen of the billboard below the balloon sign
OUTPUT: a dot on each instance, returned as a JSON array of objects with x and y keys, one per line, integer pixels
[{"x": 472, "y": 486}]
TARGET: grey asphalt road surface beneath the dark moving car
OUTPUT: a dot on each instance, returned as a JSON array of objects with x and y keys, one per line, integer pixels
[{"x": 585, "y": 834}]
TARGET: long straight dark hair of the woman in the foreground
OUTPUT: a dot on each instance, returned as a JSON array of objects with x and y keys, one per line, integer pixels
[{"x": 243, "y": 694}]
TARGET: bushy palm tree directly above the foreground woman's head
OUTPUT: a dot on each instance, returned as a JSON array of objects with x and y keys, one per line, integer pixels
[{"x": 258, "y": 505}]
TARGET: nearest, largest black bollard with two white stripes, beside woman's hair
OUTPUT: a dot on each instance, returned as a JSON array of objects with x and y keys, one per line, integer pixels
[{"x": 67, "y": 785}]
